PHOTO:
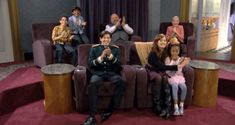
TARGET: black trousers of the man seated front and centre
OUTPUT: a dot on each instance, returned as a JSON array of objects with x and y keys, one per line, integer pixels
[{"x": 94, "y": 85}]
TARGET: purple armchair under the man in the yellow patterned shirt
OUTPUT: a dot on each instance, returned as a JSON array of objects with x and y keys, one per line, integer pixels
[{"x": 42, "y": 43}]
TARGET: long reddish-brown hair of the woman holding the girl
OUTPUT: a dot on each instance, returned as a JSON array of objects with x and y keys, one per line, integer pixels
[{"x": 156, "y": 49}]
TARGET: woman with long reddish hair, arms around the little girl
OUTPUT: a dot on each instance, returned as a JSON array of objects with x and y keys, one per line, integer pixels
[{"x": 156, "y": 64}]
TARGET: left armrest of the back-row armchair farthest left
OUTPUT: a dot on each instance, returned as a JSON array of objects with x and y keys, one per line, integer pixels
[{"x": 42, "y": 52}]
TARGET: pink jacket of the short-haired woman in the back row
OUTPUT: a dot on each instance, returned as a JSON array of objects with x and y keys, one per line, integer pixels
[{"x": 179, "y": 31}]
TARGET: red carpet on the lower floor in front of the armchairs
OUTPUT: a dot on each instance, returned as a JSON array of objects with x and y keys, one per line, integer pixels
[{"x": 33, "y": 114}]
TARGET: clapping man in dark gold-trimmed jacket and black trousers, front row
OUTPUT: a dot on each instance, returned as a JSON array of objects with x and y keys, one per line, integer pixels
[{"x": 104, "y": 62}]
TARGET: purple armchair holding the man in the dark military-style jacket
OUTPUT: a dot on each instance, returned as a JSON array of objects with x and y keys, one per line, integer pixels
[{"x": 81, "y": 79}]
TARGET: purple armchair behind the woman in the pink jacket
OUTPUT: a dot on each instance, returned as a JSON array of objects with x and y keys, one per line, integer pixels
[{"x": 189, "y": 39}]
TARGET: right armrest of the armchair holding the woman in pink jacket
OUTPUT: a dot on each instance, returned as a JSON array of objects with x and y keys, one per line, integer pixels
[{"x": 191, "y": 47}]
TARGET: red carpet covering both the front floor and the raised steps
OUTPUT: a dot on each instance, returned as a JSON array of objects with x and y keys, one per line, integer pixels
[{"x": 21, "y": 91}]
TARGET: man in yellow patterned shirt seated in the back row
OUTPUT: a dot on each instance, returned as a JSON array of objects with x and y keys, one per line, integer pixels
[{"x": 61, "y": 36}]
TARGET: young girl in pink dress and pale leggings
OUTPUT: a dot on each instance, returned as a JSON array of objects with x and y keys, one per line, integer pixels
[{"x": 176, "y": 78}]
